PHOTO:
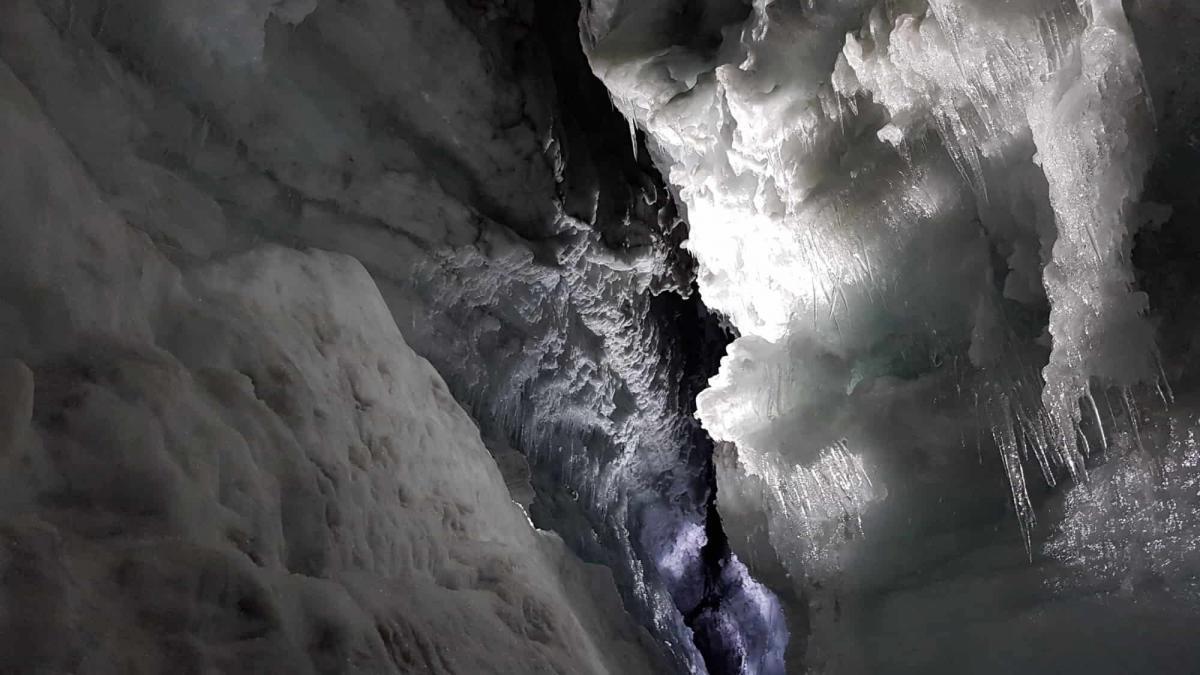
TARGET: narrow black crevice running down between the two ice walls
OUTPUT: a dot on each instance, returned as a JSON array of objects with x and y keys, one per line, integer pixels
[{"x": 609, "y": 181}]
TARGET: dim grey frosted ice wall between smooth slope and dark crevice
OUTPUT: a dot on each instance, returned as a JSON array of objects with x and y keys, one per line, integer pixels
[{"x": 455, "y": 150}]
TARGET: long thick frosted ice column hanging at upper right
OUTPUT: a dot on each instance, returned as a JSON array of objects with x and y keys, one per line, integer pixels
[{"x": 1094, "y": 127}]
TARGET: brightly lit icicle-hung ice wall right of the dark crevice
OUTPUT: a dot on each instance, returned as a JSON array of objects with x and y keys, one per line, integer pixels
[{"x": 922, "y": 219}]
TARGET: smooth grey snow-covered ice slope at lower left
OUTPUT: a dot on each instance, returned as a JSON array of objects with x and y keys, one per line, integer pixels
[{"x": 241, "y": 467}]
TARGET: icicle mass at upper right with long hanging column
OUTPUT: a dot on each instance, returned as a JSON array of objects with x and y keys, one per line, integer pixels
[{"x": 1073, "y": 83}]
